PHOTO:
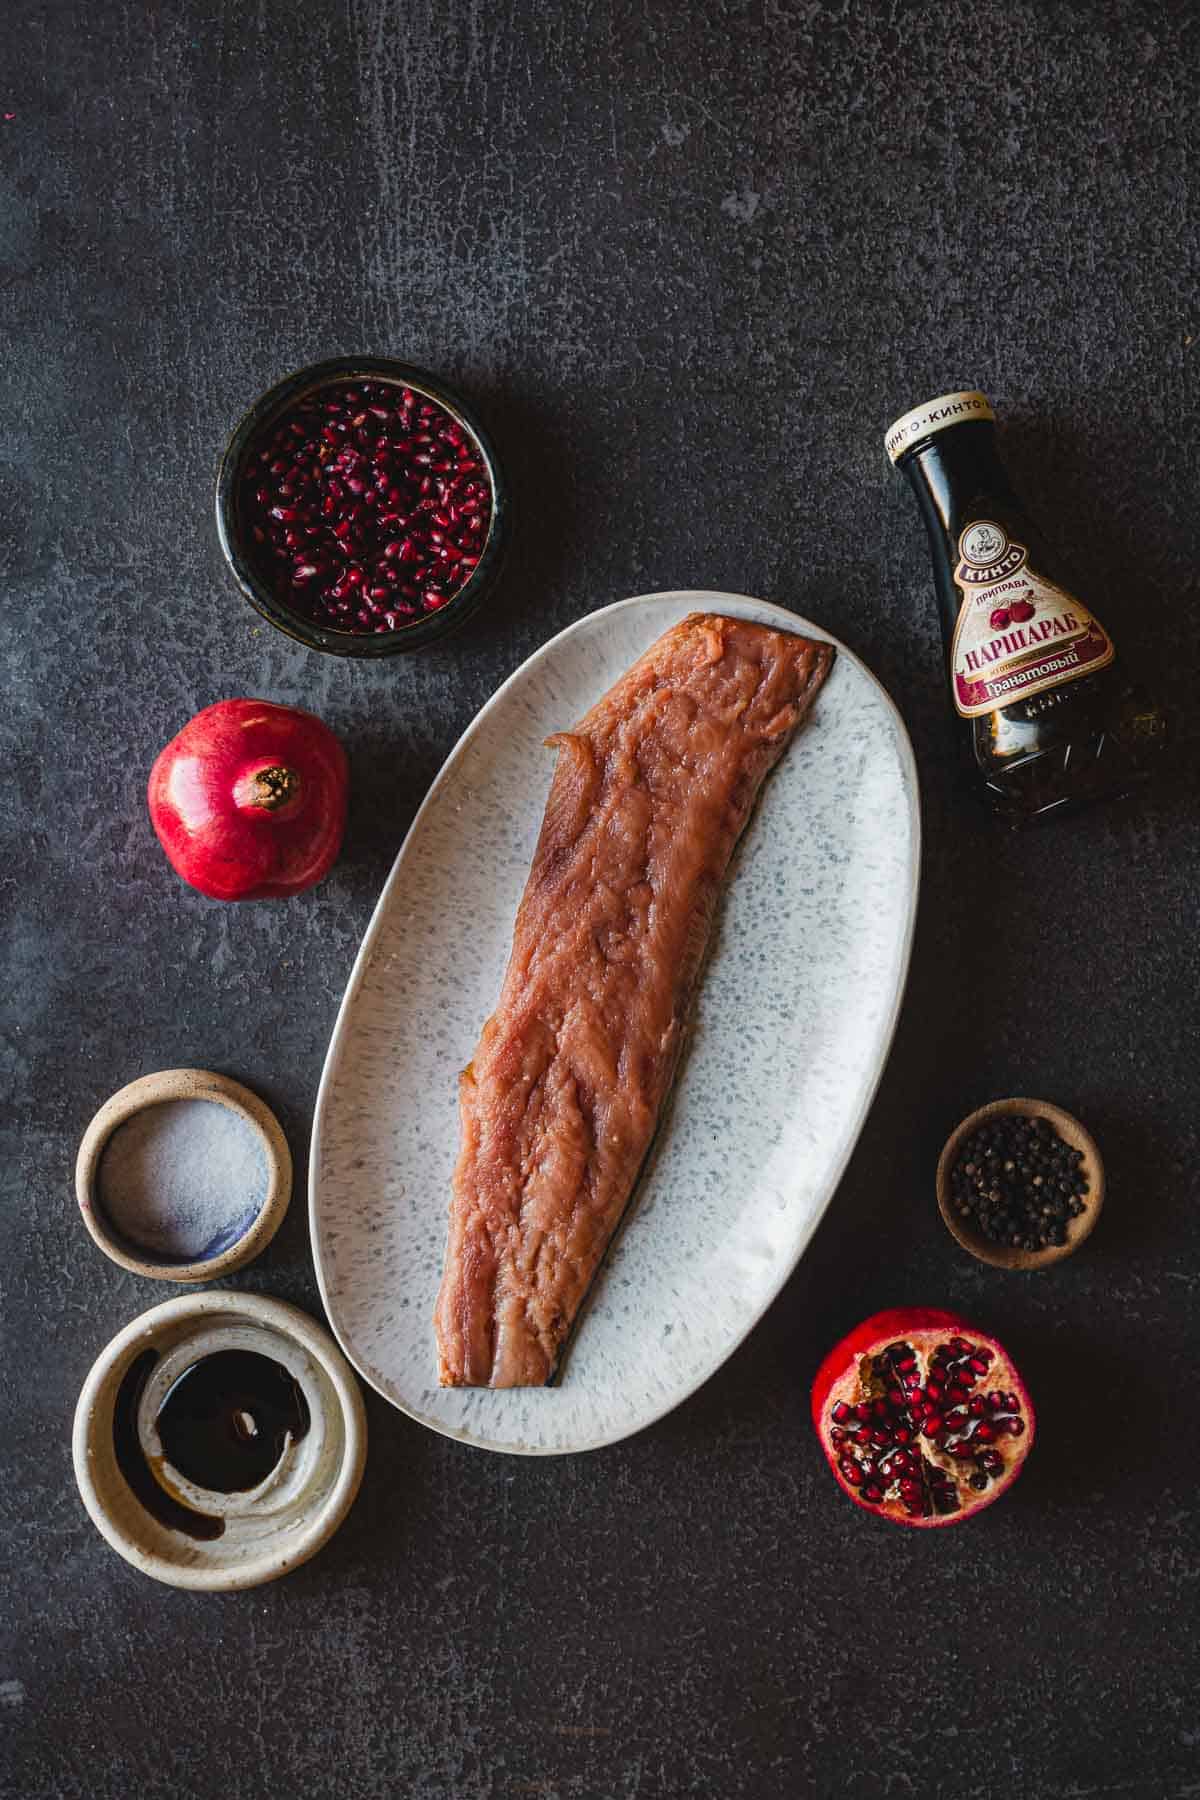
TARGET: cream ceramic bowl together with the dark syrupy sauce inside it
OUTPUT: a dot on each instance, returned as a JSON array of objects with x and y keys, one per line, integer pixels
[{"x": 220, "y": 1441}]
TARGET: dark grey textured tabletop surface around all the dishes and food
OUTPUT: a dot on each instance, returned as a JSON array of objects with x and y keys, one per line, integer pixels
[{"x": 690, "y": 264}]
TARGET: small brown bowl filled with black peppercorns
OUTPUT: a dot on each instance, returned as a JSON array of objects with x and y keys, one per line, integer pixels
[{"x": 1021, "y": 1183}]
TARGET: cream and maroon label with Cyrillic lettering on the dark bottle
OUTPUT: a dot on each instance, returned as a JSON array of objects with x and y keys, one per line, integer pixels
[{"x": 1017, "y": 633}]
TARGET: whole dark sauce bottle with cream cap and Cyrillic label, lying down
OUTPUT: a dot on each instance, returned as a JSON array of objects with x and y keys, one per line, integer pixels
[{"x": 1052, "y": 719}]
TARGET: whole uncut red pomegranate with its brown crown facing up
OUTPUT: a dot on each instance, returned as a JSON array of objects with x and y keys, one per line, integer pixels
[{"x": 249, "y": 800}]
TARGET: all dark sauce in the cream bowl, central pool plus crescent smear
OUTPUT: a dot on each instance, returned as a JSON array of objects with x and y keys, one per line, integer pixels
[{"x": 224, "y": 1425}]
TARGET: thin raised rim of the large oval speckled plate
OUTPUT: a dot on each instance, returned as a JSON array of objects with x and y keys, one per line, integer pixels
[{"x": 701, "y": 600}]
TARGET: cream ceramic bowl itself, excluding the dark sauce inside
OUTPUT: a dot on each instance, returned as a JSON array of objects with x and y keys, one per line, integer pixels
[{"x": 267, "y": 1531}]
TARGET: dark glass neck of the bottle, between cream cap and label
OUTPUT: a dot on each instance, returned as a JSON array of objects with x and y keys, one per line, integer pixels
[{"x": 958, "y": 478}]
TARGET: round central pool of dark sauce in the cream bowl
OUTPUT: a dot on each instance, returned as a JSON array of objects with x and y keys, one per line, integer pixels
[{"x": 228, "y": 1419}]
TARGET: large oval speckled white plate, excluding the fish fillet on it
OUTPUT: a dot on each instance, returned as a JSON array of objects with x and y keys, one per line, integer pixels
[{"x": 793, "y": 1029}]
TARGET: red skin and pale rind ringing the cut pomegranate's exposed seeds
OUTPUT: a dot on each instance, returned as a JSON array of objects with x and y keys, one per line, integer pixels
[{"x": 902, "y": 1324}]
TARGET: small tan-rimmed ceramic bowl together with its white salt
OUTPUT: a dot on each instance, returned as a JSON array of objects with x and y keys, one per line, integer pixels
[{"x": 184, "y": 1176}]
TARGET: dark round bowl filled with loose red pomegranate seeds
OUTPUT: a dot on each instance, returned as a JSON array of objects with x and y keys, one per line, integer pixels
[{"x": 361, "y": 508}]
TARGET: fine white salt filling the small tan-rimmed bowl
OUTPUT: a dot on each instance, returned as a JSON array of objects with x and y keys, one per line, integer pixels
[{"x": 183, "y": 1180}]
